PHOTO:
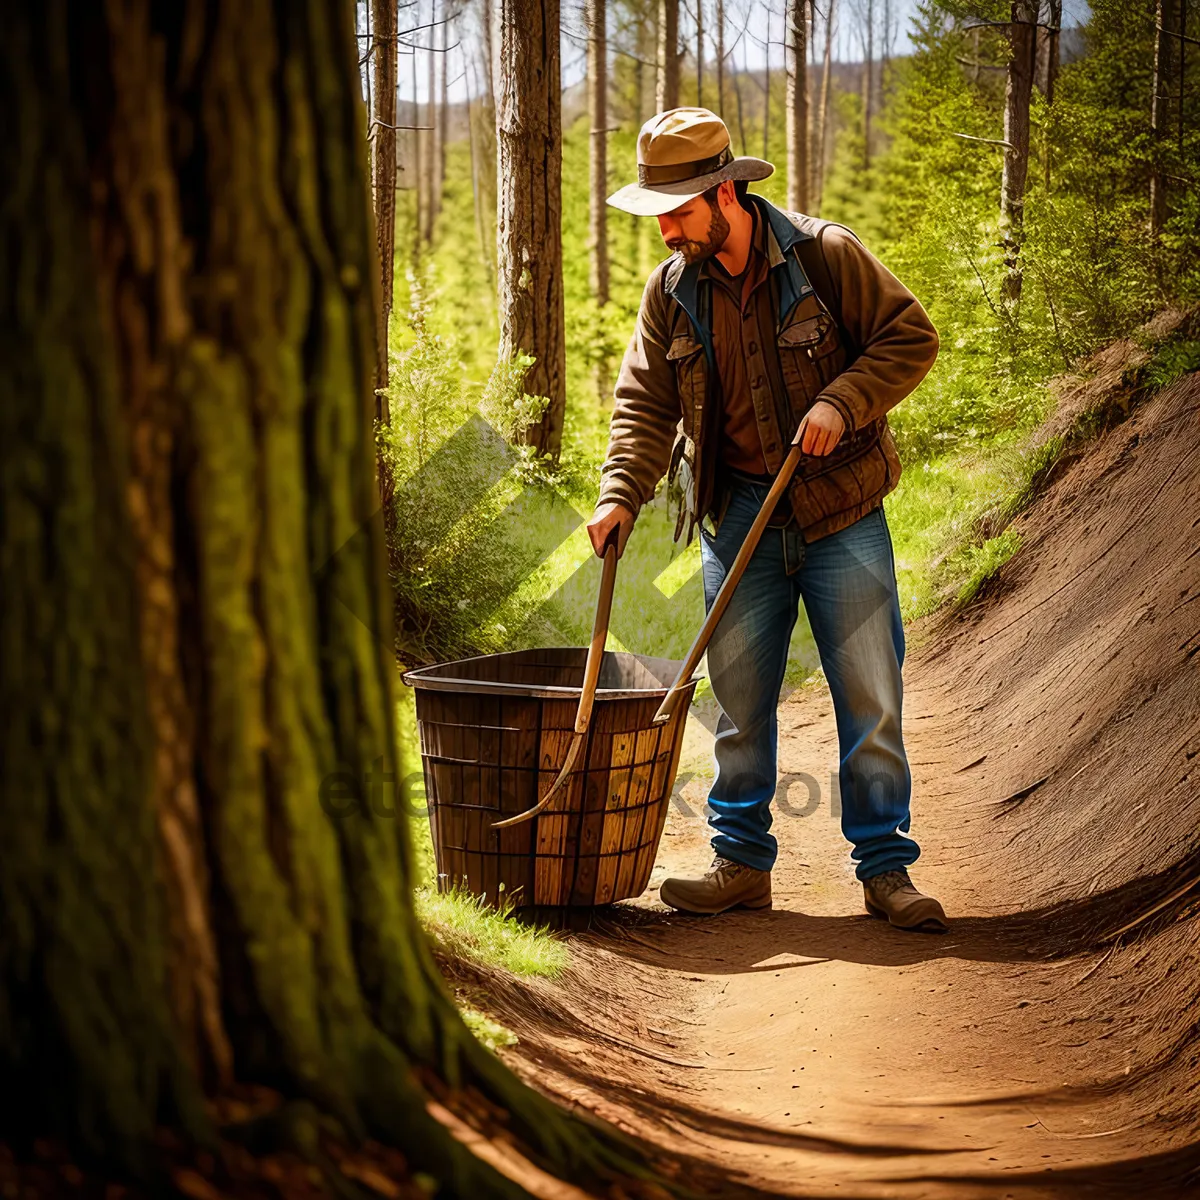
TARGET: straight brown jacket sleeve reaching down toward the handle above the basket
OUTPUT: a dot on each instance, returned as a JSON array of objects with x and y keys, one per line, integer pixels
[{"x": 646, "y": 410}]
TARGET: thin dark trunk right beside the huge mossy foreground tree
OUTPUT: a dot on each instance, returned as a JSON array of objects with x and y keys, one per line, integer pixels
[{"x": 383, "y": 165}]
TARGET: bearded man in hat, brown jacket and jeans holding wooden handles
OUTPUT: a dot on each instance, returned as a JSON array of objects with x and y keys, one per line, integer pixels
[{"x": 766, "y": 329}]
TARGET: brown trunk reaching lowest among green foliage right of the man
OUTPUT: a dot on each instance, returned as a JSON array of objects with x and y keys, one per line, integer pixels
[{"x": 1018, "y": 89}]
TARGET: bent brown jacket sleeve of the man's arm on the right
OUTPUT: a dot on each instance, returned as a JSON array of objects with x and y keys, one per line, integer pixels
[{"x": 887, "y": 322}]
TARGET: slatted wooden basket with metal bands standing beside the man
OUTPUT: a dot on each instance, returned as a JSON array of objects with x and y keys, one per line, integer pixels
[{"x": 495, "y": 735}]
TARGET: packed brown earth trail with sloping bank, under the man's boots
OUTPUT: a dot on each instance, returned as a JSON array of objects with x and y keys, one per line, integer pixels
[{"x": 1048, "y": 1045}]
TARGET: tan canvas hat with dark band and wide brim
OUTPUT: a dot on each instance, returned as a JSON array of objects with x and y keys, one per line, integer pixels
[{"x": 682, "y": 153}]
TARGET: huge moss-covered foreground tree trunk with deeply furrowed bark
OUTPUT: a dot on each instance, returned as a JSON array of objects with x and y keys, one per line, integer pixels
[{"x": 197, "y": 622}]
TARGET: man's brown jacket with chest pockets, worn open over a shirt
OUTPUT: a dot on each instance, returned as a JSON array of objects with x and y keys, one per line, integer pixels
[{"x": 667, "y": 381}]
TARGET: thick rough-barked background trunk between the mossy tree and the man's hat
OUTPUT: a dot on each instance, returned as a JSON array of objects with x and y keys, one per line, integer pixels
[{"x": 530, "y": 235}]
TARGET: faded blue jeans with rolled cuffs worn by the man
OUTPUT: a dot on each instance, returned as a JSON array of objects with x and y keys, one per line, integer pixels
[{"x": 849, "y": 586}]
